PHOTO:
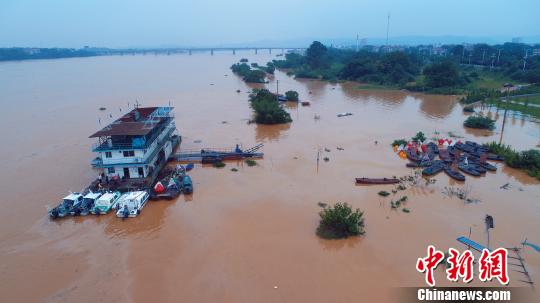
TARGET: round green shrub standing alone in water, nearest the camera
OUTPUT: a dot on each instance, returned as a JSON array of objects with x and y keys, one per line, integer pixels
[{"x": 340, "y": 221}]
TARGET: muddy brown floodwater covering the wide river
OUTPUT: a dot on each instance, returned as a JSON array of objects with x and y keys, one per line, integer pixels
[{"x": 242, "y": 236}]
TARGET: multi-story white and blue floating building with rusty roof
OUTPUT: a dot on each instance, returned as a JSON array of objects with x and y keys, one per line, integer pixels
[{"x": 137, "y": 145}]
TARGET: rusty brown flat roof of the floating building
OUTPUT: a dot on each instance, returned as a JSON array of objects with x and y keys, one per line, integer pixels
[{"x": 138, "y": 122}]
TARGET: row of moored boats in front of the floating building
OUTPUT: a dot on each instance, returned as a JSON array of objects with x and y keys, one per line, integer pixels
[{"x": 126, "y": 205}]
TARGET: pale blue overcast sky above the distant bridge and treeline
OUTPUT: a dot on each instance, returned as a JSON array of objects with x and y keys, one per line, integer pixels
[{"x": 137, "y": 23}]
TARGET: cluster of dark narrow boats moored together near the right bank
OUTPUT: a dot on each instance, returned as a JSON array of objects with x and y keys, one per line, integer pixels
[{"x": 469, "y": 158}]
